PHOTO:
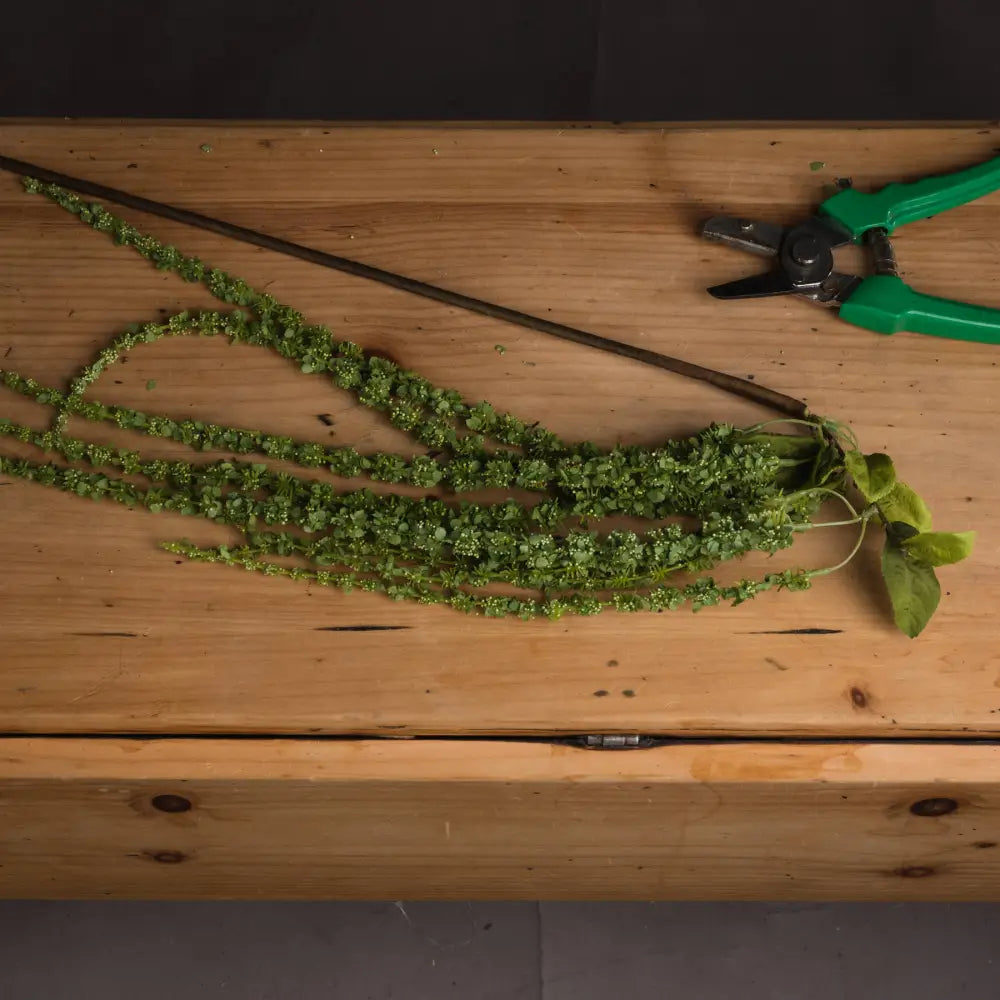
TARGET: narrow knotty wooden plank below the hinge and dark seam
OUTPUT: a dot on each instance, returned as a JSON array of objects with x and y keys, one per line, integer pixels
[{"x": 436, "y": 819}]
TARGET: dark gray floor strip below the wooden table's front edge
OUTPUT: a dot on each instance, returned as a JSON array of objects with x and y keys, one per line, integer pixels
[{"x": 497, "y": 951}]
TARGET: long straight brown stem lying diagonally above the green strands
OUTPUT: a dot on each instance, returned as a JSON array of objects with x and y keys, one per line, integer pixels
[{"x": 788, "y": 405}]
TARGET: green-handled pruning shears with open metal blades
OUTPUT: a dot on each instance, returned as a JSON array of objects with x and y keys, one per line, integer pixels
[{"x": 883, "y": 302}]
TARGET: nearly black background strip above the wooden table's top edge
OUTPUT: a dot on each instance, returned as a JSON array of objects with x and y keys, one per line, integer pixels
[{"x": 503, "y": 59}]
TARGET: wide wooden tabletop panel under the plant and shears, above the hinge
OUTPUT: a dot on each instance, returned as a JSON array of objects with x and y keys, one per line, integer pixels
[{"x": 102, "y": 632}]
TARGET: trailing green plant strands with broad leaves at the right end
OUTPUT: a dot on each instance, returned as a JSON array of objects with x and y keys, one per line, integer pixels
[{"x": 707, "y": 498}]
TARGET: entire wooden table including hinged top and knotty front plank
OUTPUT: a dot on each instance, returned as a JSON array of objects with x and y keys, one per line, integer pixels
[{"x": 348, "y": 746}]
